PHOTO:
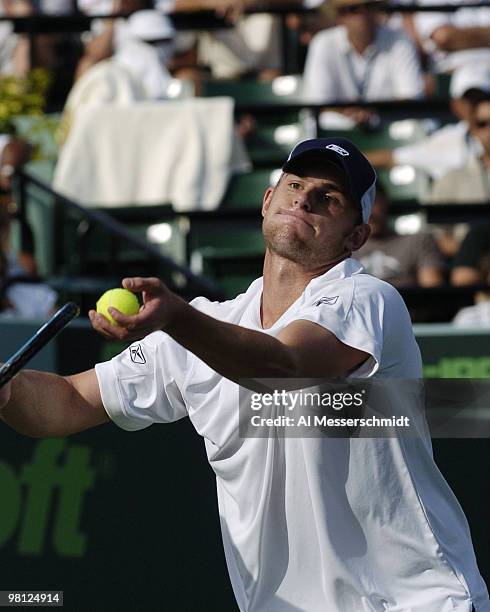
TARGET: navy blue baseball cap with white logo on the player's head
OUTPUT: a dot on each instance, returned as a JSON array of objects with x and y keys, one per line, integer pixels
[{"x": 360, "y": 174}]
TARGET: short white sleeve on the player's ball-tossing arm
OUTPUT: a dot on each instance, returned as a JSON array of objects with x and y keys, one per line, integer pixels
[{"x": 354, "y": 316}]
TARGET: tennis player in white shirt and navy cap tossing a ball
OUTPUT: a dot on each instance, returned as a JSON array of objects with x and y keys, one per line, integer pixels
[{"x": 319, "y": 524}]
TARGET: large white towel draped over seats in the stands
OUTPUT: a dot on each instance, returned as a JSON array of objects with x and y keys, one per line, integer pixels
[{"x": 181, "y": 152}]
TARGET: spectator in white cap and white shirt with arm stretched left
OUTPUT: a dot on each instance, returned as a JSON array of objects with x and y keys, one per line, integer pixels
[{"x": 451, "y": 146}]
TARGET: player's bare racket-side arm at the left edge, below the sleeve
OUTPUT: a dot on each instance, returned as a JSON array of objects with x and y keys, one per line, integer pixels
[{"x": 43, "y": 405}]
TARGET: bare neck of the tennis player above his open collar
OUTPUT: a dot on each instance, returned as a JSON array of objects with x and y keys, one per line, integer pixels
[{"x": 284, "y": 282}]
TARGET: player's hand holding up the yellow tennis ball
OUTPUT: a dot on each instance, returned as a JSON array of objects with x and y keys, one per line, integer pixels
[{"x": 158, "y": 310}]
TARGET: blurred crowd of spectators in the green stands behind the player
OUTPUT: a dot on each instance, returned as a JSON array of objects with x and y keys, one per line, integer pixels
[{"x": 348, "y": 51}]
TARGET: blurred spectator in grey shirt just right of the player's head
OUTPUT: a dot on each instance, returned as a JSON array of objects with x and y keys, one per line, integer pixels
[{"x": 404, "y": 261}]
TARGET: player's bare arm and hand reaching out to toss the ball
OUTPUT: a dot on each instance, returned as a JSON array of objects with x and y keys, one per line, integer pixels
[{"x": 302, "y": 349}]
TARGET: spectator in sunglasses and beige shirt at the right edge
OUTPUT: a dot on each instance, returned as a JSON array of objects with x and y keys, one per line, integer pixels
[{"x": 471, "y": 183}]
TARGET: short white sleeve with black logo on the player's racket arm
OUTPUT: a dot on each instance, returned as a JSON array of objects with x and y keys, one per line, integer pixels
[{"x": 142, "y": 385}]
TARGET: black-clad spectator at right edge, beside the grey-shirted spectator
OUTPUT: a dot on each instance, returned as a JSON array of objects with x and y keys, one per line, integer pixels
[{"x": 466, "y": 266}]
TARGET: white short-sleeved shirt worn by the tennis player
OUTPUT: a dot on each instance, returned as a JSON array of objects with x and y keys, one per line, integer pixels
[{"x": 314, "y": 524}]
